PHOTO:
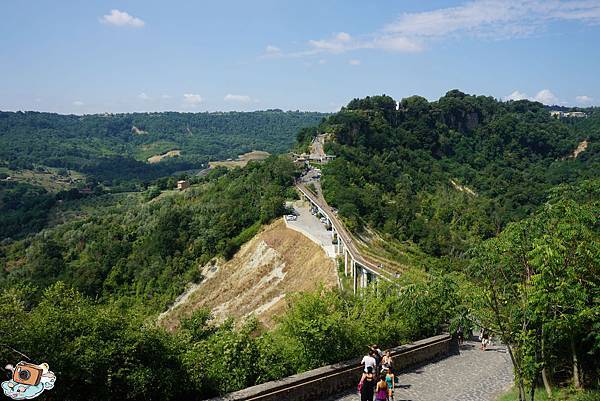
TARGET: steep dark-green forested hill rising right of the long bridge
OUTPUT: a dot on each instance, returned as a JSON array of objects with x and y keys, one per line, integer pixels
[{"x": 443, "y": 174}]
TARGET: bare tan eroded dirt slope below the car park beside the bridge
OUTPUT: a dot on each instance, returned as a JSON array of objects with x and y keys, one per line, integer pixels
[{"x": 276, "y": 262}]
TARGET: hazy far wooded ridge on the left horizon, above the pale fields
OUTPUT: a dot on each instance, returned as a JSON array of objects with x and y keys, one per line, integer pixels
[{"x": 115, "y": 147}]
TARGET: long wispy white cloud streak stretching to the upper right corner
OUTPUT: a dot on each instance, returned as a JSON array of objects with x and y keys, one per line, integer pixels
[{"x": 491, "y": 19}]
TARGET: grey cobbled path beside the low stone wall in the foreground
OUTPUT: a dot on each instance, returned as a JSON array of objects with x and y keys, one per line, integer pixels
[{"x": 474, "y": 375}]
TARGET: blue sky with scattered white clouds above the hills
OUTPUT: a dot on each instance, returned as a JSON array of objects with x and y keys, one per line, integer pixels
[{"x": 122, "y": 56}]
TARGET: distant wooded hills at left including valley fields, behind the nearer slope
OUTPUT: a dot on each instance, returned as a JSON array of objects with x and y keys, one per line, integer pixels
[{"x": 45, "y": 158}]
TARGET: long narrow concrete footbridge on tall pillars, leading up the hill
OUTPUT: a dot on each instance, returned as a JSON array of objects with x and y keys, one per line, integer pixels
[{"x": 363, "y": 270}]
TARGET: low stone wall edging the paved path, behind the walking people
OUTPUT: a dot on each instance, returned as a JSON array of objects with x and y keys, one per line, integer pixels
[{"x": 329, "y": 380}]
